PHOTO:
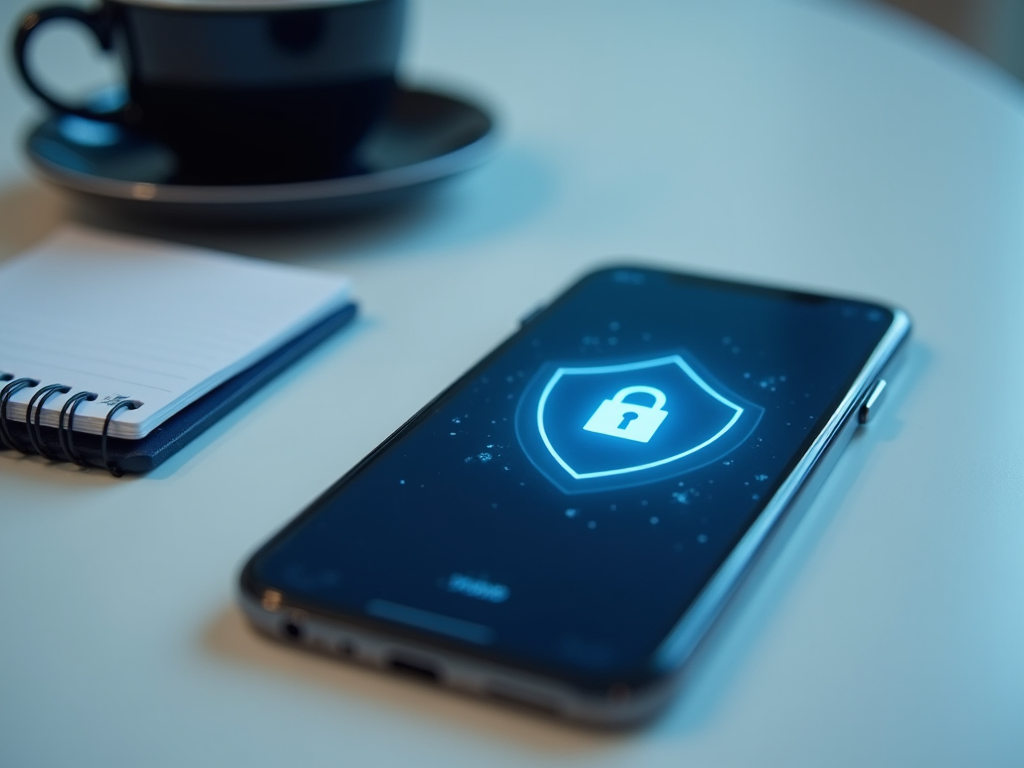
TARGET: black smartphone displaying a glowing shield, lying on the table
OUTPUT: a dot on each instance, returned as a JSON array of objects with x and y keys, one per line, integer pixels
[{"x": 563, "y": 525}]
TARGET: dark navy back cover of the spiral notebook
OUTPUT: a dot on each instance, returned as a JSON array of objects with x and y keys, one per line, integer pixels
[{"x": 192, "y": 421}]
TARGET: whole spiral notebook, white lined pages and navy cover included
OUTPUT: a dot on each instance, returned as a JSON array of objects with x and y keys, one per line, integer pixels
[{"x": 116, "y": 352}]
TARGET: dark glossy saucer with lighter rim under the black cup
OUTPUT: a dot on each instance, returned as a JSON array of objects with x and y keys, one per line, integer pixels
[{"x": 424, "y": 139}]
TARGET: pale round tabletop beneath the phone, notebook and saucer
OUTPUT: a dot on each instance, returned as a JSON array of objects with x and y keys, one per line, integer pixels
[{"x": 824, "y": 145}]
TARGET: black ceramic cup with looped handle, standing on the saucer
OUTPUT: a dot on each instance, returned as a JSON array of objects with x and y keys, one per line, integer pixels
[{"x": 243, "y": 92}]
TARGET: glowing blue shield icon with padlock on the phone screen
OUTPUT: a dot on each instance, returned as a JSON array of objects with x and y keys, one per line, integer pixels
[{"x": 632, "y": 422}]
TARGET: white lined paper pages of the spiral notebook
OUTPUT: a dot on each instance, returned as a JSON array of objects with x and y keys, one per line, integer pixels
[{"x": 157, "y": 324}]
